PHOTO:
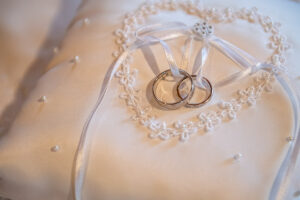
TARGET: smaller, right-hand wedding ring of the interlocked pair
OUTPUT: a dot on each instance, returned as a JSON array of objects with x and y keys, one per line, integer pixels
[{"x": 208, "y": 89}]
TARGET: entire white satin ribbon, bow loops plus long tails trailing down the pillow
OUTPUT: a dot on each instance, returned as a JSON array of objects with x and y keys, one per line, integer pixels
[{"x": 145, "y": 36}]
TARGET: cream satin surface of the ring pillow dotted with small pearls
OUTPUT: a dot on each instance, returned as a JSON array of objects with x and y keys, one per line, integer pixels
[{"x": 124, "y": 163}]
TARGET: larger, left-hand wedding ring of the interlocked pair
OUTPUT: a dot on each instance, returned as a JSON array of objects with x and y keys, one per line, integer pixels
[{"x": 182, "y": 100}]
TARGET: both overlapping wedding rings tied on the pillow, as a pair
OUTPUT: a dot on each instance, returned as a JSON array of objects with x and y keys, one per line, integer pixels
[{"x": 184, "y": 94}]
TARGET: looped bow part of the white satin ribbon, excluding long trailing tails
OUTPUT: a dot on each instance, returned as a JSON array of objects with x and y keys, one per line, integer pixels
[{"x": 237, "y": 55}]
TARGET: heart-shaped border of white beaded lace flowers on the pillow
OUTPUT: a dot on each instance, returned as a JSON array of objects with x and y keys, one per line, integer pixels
[{"x": 227, "y": 110}]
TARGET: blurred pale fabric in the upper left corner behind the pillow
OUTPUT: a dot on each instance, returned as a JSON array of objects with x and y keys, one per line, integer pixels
[{"x": 30, "y": 30}]
